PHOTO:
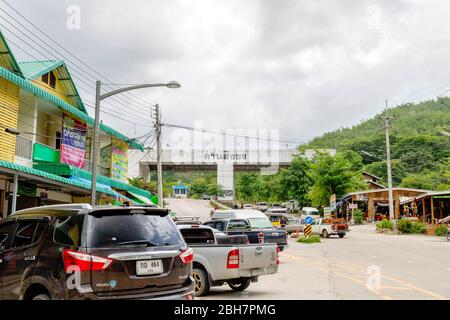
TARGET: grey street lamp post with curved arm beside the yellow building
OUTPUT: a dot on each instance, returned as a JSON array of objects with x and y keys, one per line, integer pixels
[{"x": 99, "y": 97}]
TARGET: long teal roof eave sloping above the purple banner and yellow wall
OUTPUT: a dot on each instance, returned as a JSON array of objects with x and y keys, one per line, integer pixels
[{"x": 30, "y": 87}]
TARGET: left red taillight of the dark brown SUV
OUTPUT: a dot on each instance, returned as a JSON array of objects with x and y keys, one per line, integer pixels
[{"x": 84, "y": 261}]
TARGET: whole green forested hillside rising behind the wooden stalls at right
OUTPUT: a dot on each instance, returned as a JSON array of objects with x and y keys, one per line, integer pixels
[{"x": 420, "y": 152}]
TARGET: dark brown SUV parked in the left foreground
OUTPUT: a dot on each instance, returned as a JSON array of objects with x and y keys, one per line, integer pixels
[{"x": 83, "y": 252}]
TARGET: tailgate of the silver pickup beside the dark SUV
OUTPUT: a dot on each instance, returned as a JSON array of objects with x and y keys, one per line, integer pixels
[{"x": 258, "y": 256}]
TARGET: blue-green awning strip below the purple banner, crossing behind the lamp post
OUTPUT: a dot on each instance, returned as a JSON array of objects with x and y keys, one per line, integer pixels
[{"x": 63, "y": 169}]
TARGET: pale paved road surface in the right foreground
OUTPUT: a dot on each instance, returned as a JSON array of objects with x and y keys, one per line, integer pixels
[{"x": 363, "y": 265}]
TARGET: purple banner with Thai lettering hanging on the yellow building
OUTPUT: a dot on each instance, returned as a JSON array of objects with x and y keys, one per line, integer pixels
[{"x": 73, "y": 144}]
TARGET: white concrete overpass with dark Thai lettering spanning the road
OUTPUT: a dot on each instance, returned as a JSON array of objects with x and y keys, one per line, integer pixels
[{"x": 141, "y": 164}]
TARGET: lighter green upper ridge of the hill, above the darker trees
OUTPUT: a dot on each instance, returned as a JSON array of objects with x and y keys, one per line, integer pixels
[{"x": 428, "y": 117}]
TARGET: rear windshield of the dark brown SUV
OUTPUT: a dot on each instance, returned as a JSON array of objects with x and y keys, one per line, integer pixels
[{"x": 107, "y": 231}]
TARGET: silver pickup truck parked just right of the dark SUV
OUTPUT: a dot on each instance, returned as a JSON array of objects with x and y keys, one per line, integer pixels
[{"x": 234, "y": 264}]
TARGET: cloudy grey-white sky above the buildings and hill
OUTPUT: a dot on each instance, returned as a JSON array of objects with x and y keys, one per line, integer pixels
[{"x": 303, "y": 67}]
